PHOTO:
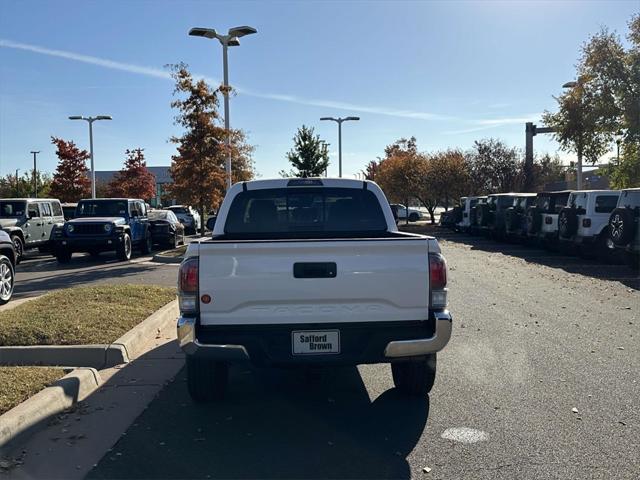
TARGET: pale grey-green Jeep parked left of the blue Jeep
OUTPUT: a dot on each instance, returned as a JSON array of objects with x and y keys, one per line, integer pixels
[{"x": 29, "y": 222}]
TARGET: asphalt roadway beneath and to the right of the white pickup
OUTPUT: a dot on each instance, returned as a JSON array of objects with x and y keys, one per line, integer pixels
[{"x": 540, "y": 380}]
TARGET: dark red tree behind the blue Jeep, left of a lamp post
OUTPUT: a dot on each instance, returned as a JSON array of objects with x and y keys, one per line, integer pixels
[{"x": 70, "y": 180}]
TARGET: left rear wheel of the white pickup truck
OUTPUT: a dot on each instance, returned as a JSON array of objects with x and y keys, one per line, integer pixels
[{"x": 206, "y": 379}]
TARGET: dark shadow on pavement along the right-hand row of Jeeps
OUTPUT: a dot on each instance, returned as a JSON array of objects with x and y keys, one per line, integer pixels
[{"x": 615, "y": 271}]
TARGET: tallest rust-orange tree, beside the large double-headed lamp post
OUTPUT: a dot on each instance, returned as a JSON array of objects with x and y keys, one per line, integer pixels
[{"x": 198, "y": 168}]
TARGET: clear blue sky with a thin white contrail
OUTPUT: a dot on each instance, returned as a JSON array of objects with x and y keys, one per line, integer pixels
[{"x": 446, "y": 72}]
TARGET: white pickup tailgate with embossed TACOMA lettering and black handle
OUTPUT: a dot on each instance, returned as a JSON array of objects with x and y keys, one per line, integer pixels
[{"x": 289, "y": 282}]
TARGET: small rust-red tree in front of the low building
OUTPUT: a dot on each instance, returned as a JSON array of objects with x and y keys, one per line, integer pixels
[{"x": 134, "y": 180}]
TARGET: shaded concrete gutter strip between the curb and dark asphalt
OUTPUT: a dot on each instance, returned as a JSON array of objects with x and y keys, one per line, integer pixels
[{"x": 74, "y": 442}]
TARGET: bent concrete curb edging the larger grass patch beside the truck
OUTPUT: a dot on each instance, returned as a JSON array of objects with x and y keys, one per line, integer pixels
[{"x": 123, "y": 350}]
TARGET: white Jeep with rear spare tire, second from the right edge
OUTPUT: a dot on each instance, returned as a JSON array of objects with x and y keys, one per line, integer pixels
[{"x": 584, "y": 223}]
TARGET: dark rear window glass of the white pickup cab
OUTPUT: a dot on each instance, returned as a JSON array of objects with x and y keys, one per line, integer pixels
[{"x": 304, "y": 212}]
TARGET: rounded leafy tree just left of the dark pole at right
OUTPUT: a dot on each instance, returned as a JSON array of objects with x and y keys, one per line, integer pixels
[{"x": 493, "y": 167}]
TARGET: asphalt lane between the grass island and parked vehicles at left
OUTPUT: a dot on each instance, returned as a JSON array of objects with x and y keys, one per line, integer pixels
[{"x": 41, "y": 273}]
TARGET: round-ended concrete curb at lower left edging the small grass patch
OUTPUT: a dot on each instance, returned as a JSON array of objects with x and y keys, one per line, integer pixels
[{"x": 64, "y": 393}]
